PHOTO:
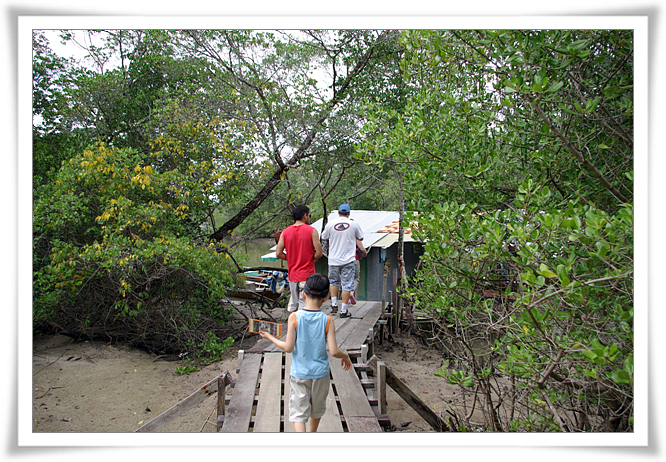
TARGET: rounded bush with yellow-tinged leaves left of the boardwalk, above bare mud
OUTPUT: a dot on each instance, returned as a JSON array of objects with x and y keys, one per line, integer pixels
[{"x": 115, "y": 248}]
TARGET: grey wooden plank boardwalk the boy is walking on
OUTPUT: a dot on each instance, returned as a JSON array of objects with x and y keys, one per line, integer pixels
[{"x": 260, "y": 398}]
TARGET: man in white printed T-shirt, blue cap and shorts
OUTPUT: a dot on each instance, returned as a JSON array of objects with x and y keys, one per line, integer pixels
[{"x": 342, "y": 235}]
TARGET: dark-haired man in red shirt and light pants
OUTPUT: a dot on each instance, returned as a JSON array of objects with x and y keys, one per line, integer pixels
[{"x": 299, "y": 245}]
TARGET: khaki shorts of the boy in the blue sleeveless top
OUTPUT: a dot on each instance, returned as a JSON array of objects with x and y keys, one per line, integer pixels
[{"x": 307, "y": 398}]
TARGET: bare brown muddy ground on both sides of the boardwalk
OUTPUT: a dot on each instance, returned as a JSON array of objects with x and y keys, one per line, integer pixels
[{"x": 98, "y": 387}]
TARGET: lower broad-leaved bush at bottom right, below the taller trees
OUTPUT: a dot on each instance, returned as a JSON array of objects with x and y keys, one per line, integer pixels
[{"x": 537, "y": 305}]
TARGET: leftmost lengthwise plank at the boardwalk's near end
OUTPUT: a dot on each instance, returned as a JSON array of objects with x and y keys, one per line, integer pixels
[{"x": 239, "y": 412}]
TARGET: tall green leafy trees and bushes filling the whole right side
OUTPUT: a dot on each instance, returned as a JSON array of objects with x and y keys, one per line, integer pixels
[{"x": 516, "y": 150}]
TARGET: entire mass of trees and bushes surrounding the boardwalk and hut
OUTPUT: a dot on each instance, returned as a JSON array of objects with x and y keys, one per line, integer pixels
[{"x": 508, "y": 152}]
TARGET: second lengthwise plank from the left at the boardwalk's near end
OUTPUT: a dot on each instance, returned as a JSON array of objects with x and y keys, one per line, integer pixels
[{"x": 267, "y": 417}]
